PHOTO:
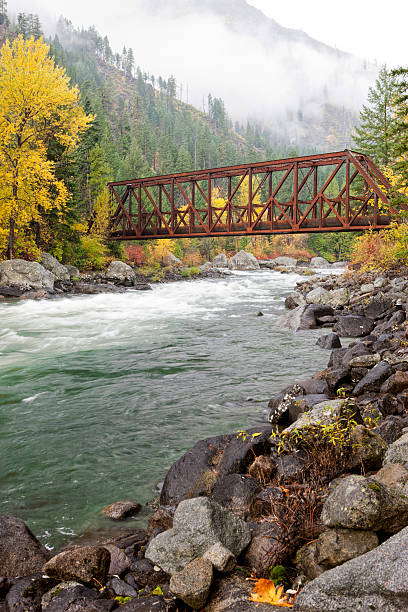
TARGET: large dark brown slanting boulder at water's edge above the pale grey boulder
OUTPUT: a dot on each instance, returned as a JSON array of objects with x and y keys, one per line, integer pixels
[{"x": 195, "y": 473}]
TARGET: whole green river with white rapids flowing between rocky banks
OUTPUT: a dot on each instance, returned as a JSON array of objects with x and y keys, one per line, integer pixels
[{"x": 100, "y": 394}]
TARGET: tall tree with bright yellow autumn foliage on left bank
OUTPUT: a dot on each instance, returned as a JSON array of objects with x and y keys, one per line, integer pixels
[{"x": 37, "y": 105}]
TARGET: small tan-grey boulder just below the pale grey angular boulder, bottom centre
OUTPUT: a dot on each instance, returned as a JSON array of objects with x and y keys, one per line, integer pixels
[{"x": 192, "y": 584}]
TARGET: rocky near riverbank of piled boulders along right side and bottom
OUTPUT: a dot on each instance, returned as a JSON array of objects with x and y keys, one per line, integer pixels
[{"x": 317, "y": 499}]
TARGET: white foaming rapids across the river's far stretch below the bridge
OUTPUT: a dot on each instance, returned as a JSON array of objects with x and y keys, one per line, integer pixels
[{"x": 55, "y": 327}]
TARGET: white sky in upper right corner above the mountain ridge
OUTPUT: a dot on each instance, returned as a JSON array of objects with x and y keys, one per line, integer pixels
[{"x": 370, "y": 29}]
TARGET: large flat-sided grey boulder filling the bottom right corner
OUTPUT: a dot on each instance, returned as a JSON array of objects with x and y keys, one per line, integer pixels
[{"x": 374, "y": 581}]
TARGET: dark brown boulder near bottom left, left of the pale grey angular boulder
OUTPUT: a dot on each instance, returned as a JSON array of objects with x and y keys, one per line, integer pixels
[{"x": 82, "y": 564}]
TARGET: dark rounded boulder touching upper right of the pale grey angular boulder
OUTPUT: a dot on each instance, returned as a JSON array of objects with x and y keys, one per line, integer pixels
[{"x": 236, "y": 492}]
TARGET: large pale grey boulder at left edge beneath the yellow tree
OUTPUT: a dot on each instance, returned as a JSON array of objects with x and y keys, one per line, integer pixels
[{"x": 25, "y": 275}]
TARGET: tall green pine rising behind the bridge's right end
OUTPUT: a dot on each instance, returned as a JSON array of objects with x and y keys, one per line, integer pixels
[{"x": 375, "y": 134}]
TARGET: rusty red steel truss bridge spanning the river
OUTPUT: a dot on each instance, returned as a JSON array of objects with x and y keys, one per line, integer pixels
[{"x": 342, "y": 191}]
